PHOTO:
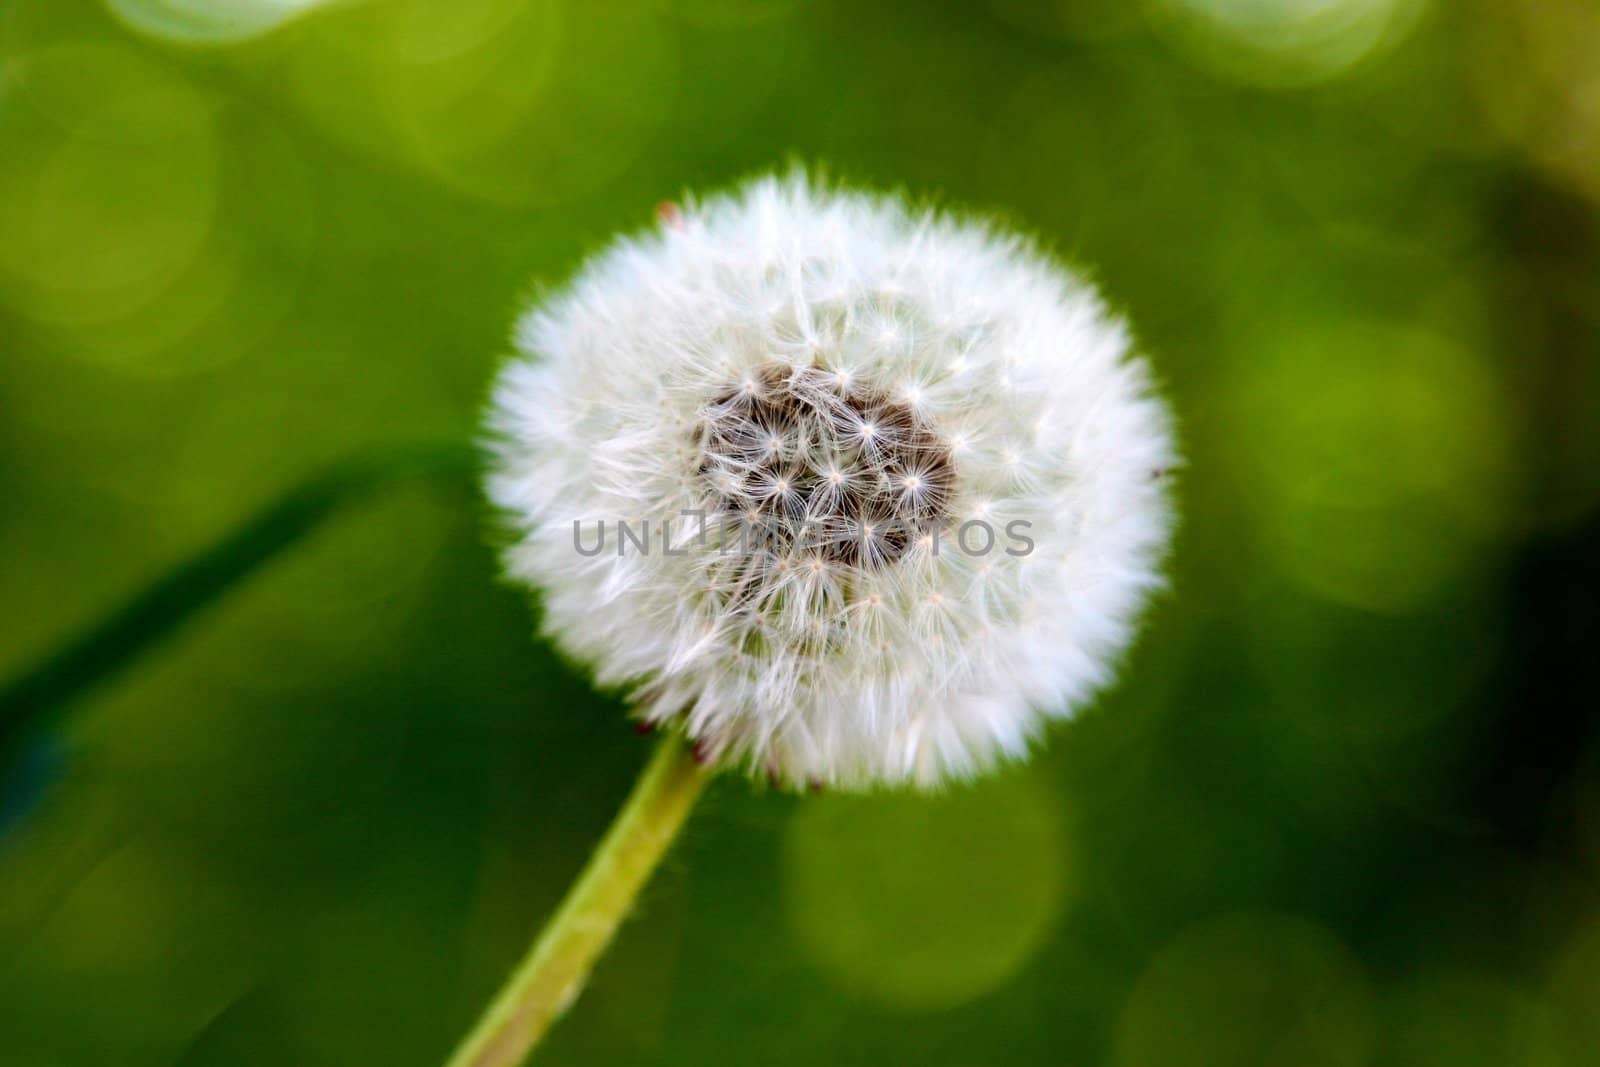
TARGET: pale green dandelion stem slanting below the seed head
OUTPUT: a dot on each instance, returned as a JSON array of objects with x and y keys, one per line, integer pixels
[{"x": 553, "y": 973}]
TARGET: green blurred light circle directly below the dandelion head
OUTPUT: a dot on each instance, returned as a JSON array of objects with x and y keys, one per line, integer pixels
[{"x": 924, "y": 903}]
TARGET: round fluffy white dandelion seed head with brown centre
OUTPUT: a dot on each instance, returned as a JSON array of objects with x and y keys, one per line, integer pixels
[{"x": 924, "y": 462}]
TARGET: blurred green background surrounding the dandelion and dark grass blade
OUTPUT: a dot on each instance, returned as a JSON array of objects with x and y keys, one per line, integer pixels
[{"x": 1345, "y": 807}]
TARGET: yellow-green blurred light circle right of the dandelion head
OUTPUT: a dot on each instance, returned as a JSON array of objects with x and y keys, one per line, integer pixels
[{"x": 1375, "y": 457}]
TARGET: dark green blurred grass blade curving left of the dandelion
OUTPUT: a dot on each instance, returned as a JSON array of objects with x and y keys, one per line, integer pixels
[{"x": 156, "y": 613}]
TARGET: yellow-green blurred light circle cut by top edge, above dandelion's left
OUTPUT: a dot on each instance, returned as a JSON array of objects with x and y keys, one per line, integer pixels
[{"x": 495, "y": 100}]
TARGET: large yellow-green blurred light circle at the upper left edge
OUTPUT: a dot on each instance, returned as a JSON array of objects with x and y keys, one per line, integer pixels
[{"x": 162, "y": 231}]
